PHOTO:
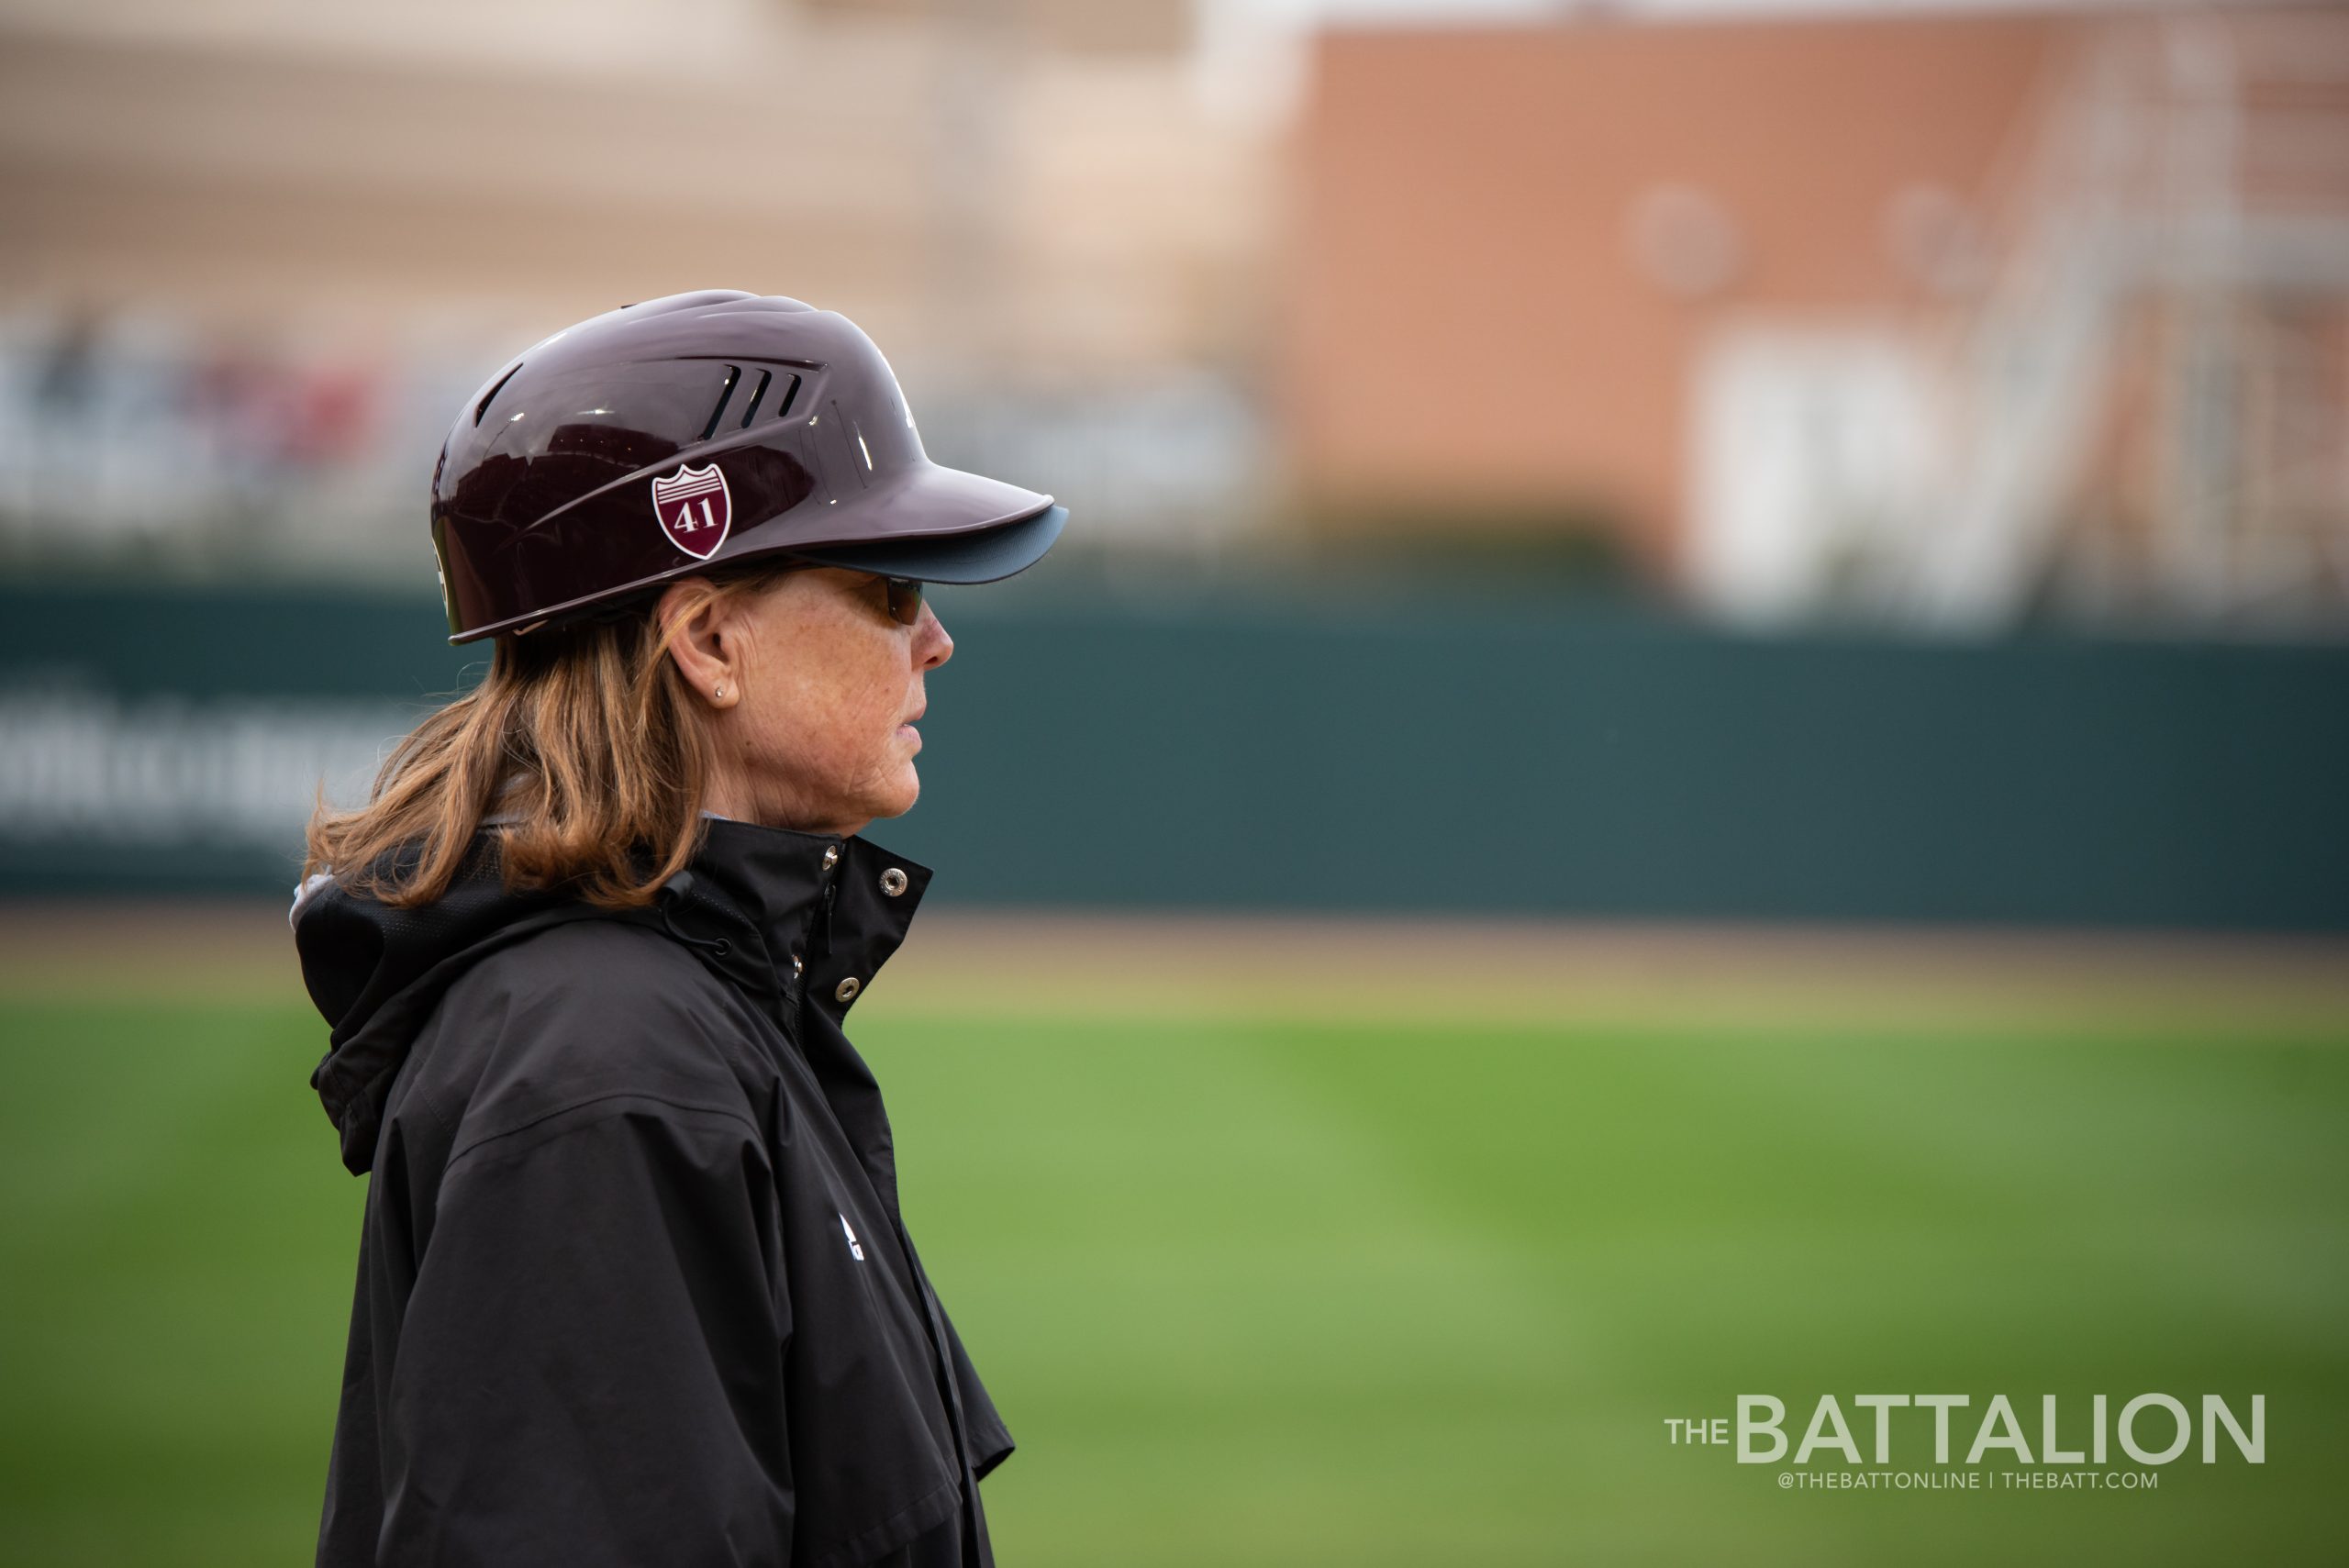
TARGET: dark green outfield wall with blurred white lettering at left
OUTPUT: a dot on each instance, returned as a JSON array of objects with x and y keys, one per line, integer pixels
[{"x": 1401, "y": 755}]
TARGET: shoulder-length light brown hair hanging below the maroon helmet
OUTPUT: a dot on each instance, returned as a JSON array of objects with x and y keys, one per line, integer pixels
[{"x": 581, "y": 750}]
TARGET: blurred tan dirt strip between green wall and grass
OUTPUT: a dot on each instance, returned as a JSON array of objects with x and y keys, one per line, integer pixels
[{"x": 1338, "y": 968}]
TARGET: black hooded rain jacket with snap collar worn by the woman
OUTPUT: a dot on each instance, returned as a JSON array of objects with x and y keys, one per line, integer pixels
[{"x": 633, "y": 1280}]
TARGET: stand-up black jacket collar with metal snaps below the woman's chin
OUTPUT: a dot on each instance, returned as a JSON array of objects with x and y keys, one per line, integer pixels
[{"x": 797, "y": 917}]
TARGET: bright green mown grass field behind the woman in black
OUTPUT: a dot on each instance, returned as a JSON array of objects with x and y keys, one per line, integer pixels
[{"x": 1272, "y": 1290}]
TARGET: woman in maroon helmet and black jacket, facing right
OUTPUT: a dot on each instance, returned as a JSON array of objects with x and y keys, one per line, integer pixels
[{"x": 633, "y": 1280}]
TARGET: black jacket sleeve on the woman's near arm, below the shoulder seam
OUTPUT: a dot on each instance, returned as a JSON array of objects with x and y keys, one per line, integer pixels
[{"x": 591, "y": 1365}]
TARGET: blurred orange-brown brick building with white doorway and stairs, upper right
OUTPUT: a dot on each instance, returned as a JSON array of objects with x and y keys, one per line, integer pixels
[{"x": 1725, "y": 290}]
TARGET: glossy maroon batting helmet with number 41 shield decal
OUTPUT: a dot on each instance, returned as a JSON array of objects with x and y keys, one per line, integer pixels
[{"x": 692, "y": 433}]
